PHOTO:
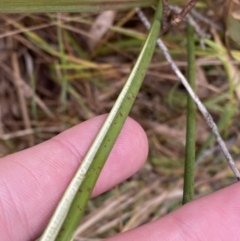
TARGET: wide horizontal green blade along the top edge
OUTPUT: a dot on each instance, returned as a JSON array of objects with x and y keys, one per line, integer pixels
[{"x": 43, "y": 6}]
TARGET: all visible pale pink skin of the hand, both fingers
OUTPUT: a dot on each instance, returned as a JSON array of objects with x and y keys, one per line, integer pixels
[{"x": 32, "y": 182}]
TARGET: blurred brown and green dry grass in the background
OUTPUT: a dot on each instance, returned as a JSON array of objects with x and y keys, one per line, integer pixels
[{"x": 58, "y": 70}]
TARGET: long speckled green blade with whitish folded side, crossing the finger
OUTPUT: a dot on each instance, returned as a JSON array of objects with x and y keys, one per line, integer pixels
[{"x": 80, "y": 189}]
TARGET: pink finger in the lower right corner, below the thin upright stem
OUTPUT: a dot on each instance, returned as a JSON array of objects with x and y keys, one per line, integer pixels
[{"x": 214, "y": 217}]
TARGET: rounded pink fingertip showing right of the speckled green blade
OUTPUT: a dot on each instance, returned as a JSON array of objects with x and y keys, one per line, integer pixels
[{"x": 126, "y": 158}]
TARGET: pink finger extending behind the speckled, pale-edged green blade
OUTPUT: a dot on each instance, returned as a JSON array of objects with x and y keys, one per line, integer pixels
[{"x": 32, "y": 181}]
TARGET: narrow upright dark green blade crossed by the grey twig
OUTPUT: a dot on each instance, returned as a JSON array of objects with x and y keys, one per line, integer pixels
[{"x": 188, "y": 189}]
